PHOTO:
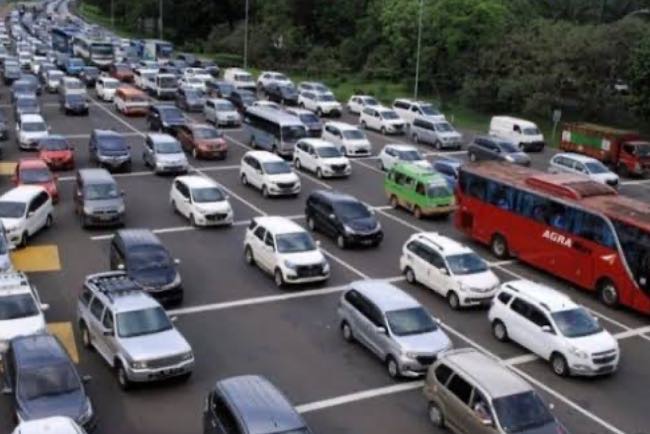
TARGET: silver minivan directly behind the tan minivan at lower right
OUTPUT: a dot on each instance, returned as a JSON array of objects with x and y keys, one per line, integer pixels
[{"x": 393, "y": 325}]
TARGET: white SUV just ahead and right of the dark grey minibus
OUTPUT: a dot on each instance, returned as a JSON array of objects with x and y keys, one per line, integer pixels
[{"x": 322, "y": 158}]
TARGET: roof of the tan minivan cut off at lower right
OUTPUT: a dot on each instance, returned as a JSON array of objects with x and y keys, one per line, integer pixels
[{"x": 494, "y": 378}]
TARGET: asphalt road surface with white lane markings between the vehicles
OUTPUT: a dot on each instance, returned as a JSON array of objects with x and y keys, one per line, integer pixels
[{"x": 291, "y": 336}]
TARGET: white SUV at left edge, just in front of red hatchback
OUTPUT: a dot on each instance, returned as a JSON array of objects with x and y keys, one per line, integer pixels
[{"x": 24, "y": 211}]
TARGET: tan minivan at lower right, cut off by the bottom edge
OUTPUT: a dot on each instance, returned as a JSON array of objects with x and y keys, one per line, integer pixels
[{"x": 469, "y": 392}]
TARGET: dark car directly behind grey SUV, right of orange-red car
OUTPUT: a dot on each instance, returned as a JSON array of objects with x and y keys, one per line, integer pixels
[{"x": 109, "y": 149}]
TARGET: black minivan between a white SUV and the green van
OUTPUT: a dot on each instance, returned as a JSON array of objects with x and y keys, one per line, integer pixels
[{"x": 344, "y": 218}]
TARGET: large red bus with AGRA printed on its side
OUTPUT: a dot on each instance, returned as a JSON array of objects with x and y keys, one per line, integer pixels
[{"x": 574, "y": 228}]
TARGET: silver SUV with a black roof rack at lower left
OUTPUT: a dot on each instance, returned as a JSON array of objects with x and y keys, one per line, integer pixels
[{"x": 131, "y": 331}]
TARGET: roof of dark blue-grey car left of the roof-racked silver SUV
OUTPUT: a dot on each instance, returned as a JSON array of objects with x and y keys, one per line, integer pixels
[{"x": 38, "y": 350}]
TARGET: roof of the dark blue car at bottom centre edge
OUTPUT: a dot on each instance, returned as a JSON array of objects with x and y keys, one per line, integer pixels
[{"x": 259, "y": 404}]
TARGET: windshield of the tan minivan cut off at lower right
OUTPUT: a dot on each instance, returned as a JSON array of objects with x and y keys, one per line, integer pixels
[{"x": 521, "y": 412}]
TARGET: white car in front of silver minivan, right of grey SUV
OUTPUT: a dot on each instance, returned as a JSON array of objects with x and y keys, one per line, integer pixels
[{"x": 201, "y": 200}]
